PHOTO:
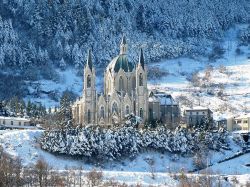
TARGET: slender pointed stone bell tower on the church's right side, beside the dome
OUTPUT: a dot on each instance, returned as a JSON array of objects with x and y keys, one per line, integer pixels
[{"x": 141, "y": 88}]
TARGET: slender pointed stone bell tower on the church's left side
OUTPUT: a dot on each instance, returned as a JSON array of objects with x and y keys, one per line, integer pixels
[{"x": 89, "y": 91}]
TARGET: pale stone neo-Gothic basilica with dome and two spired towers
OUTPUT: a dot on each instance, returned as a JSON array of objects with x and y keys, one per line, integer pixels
[{"x": 125, "y": 92}]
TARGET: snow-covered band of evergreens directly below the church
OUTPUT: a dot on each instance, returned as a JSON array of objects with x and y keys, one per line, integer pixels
[{"x": 116, "y": 143}]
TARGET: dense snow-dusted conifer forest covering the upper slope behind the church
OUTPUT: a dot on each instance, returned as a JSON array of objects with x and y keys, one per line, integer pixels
[{"x": 63, "y": 31}]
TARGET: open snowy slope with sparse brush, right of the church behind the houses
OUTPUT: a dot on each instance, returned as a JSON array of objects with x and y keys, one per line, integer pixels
[{"x": 236, "y": 79}]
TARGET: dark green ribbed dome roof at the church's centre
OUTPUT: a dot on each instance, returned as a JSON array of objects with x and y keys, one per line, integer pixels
[{"x": 120, "y": 62}]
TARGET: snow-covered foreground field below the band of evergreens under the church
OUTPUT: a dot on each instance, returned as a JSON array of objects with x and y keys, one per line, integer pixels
[{"x": 23, "y": 144}]
